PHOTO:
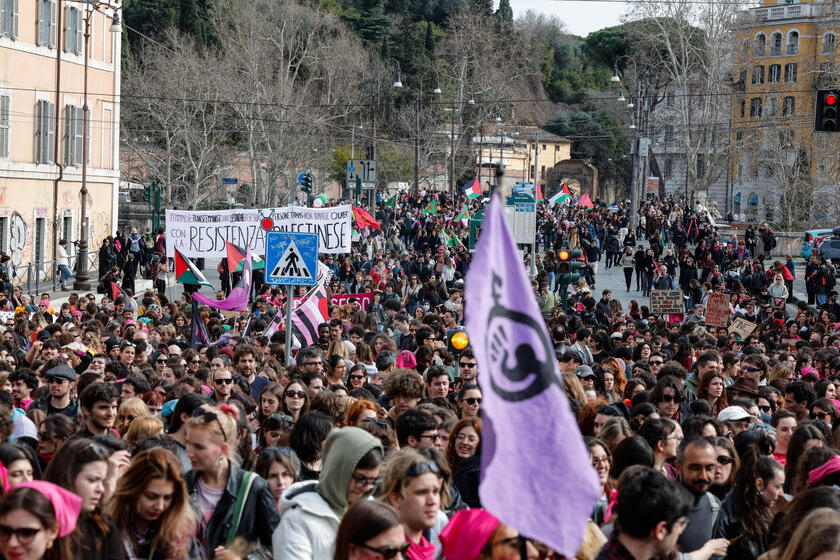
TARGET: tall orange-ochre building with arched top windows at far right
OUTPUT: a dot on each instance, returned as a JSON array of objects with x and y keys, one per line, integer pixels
[{"x": 784, "y": 52}]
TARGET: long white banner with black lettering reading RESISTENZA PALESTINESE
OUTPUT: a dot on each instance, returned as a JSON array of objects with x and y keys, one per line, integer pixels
[{"x": 203, "y": 234}]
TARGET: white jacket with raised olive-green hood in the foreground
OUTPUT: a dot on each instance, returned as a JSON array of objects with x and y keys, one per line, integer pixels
[{"x": 311, "y": 511}]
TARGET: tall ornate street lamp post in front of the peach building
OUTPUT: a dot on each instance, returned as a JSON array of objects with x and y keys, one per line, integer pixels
[{"x": 82, "y": 282}]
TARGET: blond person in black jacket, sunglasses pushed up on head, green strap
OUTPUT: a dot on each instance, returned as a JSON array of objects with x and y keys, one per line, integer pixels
[{"x": 216, "y": 483}]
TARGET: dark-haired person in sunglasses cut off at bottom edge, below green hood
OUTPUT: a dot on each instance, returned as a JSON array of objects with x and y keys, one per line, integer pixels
[{"x": 371, "y": 530}]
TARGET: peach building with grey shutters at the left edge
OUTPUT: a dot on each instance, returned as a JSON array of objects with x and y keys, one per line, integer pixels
[{"x": 41, "y": 126}]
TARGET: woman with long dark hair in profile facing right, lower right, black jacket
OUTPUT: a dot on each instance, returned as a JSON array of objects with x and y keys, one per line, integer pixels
[{"x": 745, "y": 514}]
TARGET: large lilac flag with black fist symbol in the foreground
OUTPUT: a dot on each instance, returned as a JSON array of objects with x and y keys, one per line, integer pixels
[{"x": 536, "y": 474}]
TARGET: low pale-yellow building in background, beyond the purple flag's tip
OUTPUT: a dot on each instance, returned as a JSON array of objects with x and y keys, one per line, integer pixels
[{"x": 517, "y": 148}]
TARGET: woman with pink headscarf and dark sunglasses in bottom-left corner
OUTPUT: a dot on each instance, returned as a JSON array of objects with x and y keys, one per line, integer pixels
[{"x": 35, "y": 520}]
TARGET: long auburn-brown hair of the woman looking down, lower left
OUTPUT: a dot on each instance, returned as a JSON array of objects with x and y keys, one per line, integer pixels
[{"x": 178, "y": 524}]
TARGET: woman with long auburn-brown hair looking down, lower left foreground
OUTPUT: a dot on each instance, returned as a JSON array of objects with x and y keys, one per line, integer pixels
[{"x": 152, "y": 510}]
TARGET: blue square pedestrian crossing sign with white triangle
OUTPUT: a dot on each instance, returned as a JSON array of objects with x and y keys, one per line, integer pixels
[{"x": 291, "y": 258}]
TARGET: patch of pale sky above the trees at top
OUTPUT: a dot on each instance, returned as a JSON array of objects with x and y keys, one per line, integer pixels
[{"x": 581, "y": 18}]
